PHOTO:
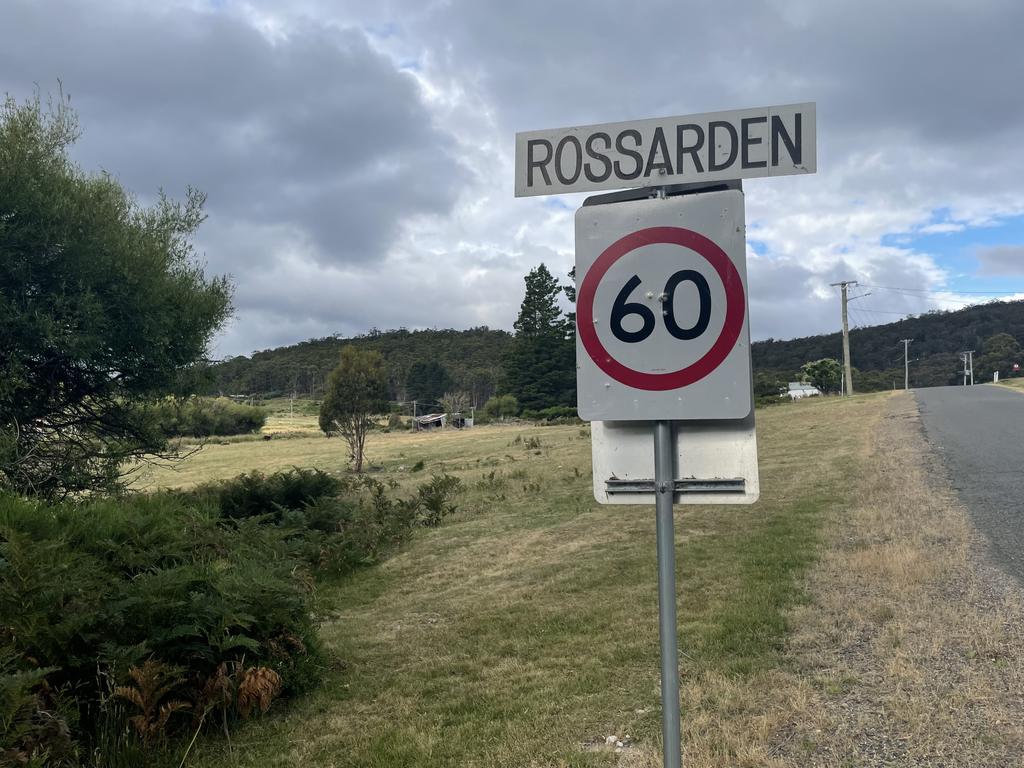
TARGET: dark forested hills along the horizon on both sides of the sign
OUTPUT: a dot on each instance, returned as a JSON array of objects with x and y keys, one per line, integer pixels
[{"x": 474, "y": 359}]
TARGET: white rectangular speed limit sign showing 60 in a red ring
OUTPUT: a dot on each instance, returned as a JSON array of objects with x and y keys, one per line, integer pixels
[{"x": 662, "y": 310}]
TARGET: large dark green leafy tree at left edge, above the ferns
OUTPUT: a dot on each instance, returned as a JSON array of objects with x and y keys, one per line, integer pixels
[{"x": 104, "y": 310}]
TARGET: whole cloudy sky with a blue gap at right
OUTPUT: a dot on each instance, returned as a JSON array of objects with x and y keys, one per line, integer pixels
[{"x": 359, "y": 156}]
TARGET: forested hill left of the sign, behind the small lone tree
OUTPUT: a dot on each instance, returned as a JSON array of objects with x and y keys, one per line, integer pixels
[{"x": 473, "y": 361}]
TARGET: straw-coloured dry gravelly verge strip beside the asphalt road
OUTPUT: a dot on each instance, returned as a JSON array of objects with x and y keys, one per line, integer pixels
[{"x": 912, "y": 644}]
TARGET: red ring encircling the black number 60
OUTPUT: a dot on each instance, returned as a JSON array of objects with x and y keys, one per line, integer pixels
[{"x": 736, "y": 308}]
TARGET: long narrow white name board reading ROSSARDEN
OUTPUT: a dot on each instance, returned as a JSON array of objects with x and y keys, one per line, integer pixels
[{"x": 713, "y": 147}]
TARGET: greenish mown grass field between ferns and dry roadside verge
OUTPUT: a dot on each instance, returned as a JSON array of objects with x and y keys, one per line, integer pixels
[{"x": 526, "y": 629}]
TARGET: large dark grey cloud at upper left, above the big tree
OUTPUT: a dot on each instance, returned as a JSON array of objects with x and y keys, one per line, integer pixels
[{"x": 317, "y": 132}]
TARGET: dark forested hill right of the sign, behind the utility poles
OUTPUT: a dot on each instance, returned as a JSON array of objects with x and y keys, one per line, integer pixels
[{"x": 878, "y": 353}]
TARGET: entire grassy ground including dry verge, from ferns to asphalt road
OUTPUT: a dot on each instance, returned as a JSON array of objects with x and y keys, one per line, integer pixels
[{"x": 523, "y": 633}]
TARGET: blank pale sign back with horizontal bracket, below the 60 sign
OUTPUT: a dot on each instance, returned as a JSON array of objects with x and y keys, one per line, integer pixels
[{"x": 717, "y": 462}]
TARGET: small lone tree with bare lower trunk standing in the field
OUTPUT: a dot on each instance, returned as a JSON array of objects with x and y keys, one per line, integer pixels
[{"x": 356, "y": 391}]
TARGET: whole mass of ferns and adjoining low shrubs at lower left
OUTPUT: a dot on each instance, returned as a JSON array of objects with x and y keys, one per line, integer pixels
[{"x": 123, "y": 621}]
